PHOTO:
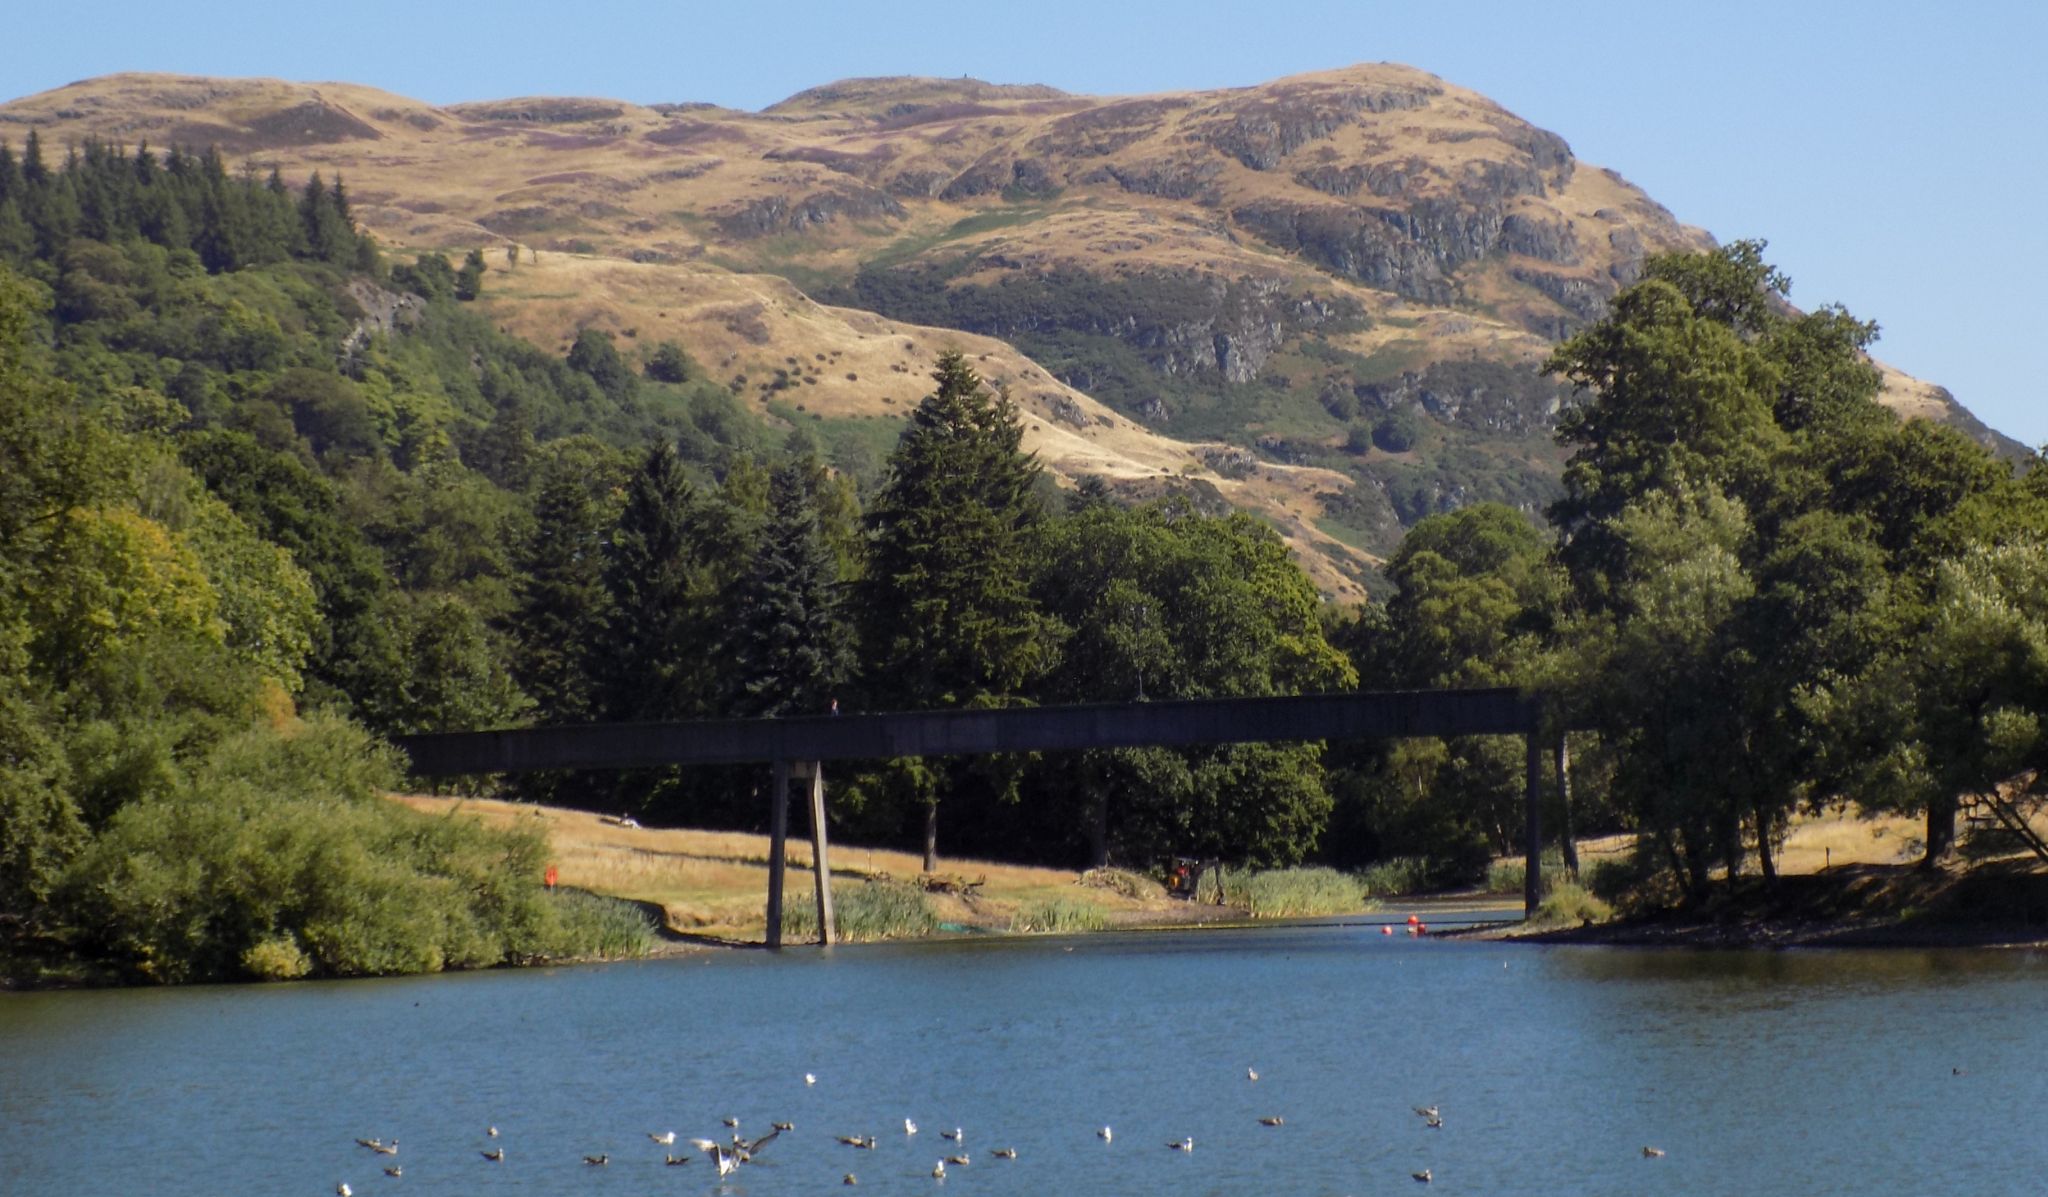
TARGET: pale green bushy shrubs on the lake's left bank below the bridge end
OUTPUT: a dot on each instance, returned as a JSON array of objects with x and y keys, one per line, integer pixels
[{"x": 278, "y": 858}]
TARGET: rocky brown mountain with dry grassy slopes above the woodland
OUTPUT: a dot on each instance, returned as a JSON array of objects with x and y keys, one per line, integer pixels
[{"x": 1320, "y": 298}]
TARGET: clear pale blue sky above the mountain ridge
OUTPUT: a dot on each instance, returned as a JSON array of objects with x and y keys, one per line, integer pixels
[{"x": 1893, "y": 155}]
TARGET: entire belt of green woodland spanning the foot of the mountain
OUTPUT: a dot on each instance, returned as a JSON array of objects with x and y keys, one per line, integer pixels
[{"x": 265, "y": 499}]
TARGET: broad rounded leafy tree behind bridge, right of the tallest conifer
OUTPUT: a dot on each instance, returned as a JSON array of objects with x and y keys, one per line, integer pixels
[{"x": 1164, "y": 604}]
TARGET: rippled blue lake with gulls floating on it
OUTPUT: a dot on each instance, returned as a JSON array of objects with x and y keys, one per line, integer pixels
[{"x": 1553, "y": 1069}]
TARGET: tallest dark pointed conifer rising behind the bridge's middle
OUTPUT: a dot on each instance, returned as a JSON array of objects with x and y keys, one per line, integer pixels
[{"x": 947, "y": 612}]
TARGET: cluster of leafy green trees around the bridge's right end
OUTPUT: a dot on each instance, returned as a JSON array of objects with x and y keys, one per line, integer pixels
[{"x": 1766, "y": 593}]
